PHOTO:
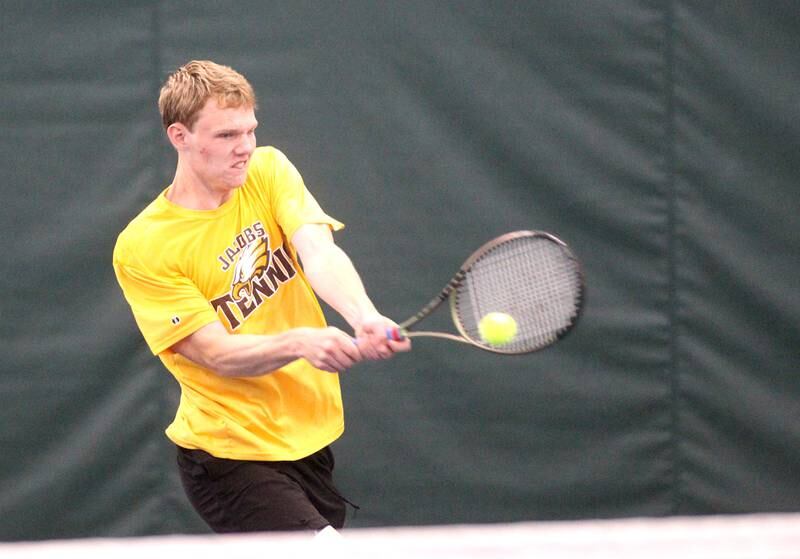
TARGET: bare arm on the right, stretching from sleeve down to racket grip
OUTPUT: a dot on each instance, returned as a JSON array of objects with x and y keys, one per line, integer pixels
[{"x": 335, "y": 280}]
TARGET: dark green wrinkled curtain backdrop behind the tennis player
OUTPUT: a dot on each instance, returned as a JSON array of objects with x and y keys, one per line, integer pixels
[{"x": 659, "y": 138}]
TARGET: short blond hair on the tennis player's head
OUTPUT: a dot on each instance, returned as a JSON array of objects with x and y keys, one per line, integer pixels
[{"x": 187, "y": 89}]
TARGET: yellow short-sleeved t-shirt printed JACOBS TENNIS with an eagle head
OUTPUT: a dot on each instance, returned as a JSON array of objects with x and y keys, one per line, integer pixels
[{"x": 181, "y": 269}]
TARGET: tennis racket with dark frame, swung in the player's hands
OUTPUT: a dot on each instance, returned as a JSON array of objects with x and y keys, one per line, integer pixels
[{"x": 532, "y": 276}]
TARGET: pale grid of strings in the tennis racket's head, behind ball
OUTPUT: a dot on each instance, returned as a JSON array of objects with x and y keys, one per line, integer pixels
[{"x": 533, "y": 279}]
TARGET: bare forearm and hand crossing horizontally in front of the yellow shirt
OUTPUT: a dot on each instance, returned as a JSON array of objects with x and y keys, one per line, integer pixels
[{"x": 249, "y": 355}]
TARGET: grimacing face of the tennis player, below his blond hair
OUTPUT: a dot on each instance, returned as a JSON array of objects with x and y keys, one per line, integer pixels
[{"x": 220, "y": 144}]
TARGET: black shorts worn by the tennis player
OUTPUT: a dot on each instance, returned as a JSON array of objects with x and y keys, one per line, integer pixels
[{"x": 252, "y": 496}]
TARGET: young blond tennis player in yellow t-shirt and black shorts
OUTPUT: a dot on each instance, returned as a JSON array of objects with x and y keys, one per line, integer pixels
[{"x": 212, "y": 272}]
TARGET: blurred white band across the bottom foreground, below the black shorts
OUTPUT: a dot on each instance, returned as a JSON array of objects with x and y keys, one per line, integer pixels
[{"x": 762, "y": 536}]
